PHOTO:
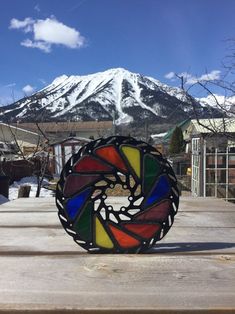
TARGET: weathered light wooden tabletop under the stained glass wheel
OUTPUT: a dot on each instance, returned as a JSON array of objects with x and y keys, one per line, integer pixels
[{"x": 192, "y": 270}]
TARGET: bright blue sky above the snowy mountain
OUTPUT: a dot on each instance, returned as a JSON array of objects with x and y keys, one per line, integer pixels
[{"x": 43, "y": 39}]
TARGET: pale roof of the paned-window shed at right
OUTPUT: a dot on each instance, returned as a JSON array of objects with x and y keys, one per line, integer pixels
[{"x": 217, "y": 125}]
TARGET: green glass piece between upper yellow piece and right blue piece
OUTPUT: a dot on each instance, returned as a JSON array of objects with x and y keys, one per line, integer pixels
[{"x": 151, "y": 171}]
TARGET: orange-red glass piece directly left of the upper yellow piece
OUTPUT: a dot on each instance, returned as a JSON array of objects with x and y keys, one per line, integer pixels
[{"x": 110, "y": 154}]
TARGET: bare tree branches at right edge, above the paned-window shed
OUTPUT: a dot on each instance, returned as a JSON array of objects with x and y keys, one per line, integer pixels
[{"x": 220, "y": 107}]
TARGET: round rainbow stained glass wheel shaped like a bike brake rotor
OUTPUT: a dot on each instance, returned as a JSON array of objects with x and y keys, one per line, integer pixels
[{"x": 96, "y": 220}]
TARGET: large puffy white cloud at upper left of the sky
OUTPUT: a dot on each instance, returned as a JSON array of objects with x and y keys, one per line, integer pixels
[{"x": 48, "y": 32}]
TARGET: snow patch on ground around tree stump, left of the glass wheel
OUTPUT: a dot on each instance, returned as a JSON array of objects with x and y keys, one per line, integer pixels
[{"x": 32, "y": 181}]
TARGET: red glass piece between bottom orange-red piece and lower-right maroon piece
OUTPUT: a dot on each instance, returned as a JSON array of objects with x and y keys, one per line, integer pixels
[{"x": 146, "y": 231}]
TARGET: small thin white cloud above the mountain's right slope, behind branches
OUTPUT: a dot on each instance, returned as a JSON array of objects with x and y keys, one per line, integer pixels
[{"x": 191, "y": 79}]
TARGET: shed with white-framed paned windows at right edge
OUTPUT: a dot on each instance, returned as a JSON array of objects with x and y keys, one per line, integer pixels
[{"x": 213, "y": 157}]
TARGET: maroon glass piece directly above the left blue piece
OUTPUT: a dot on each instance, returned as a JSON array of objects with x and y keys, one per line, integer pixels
[{"x": 76, "y": 182}]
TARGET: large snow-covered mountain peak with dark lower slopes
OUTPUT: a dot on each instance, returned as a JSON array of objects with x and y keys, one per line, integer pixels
[{"x": 115, "y": 93}]
